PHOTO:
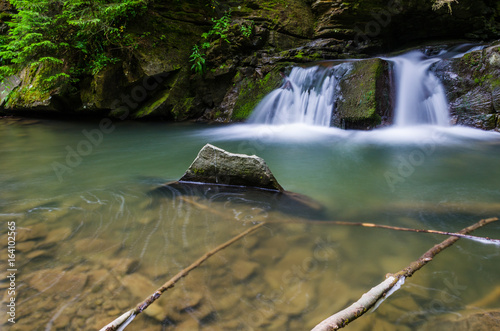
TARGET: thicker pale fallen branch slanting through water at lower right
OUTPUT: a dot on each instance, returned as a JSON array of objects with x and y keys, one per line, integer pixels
[{"x": 391, "y": 283}]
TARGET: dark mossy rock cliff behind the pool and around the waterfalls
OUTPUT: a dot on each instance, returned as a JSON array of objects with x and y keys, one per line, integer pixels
[{"x": 155, "y": 78}]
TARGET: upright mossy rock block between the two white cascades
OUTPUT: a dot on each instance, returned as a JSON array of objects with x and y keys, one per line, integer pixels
[{"x": 365, "y": 96}]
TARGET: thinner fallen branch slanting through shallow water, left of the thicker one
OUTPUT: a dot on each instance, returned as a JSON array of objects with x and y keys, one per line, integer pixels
[{"x": 121, "y": 322}]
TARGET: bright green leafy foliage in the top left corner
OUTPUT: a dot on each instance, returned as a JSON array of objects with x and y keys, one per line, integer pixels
[{"x": 88, "y": 34}]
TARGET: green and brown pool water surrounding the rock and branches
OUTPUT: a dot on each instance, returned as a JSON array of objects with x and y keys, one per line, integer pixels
[{"x": 97, "y": 242}]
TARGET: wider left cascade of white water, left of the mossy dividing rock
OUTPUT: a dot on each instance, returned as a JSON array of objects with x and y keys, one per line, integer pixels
[{"x": 307, "y": 96}]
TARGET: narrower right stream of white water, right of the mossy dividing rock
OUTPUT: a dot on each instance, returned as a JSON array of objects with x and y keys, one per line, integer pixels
[{"x": 420, "y": 96}]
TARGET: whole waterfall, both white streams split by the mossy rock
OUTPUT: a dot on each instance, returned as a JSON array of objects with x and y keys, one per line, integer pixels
[{"x": 309, "y": 94}]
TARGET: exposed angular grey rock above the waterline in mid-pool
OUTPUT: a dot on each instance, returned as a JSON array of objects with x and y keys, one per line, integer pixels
[{"x": 214, "y": 165}]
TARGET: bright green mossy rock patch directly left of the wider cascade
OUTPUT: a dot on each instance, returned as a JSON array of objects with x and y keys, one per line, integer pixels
[{"x": 252, "y": 92}]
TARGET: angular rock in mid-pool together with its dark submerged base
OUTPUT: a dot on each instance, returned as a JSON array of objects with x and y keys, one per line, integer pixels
[{"x": 243, "y": 181}]
